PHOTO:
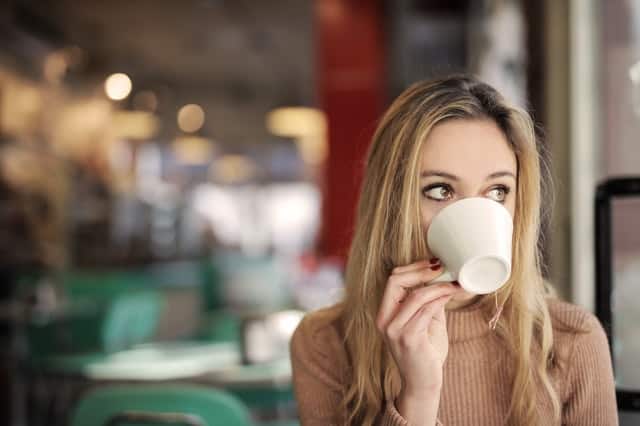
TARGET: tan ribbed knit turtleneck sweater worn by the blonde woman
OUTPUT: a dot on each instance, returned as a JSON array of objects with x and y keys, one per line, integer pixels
[{"x": 477, "y": 372}]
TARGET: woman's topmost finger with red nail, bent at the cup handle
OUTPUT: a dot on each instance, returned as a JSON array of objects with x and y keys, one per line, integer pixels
[{"x": 396, "y": 289}]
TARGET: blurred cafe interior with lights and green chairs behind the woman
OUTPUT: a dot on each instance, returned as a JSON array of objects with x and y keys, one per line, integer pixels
[{"x": 178, "y": 181}]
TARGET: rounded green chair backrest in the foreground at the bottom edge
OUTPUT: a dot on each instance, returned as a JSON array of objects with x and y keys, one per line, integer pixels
[{"x": 136, "y": 405}]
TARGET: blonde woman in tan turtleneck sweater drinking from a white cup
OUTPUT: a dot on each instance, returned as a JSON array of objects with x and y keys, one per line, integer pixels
[{"x": 397, "y": 352}]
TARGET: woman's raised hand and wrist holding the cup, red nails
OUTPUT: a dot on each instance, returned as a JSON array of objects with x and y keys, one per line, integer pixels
[{"x": 412, "y": 319}]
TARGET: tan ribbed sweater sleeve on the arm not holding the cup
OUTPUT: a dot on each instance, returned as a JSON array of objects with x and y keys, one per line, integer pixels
[{"x": 591, "y": 397}]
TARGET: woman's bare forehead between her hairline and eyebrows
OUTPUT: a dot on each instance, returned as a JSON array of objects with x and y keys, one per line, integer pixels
[{"x": 467, "y": 148}]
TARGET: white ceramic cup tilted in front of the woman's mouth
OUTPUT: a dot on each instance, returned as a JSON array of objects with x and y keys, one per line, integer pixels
[{"x": 472, "y": 239}]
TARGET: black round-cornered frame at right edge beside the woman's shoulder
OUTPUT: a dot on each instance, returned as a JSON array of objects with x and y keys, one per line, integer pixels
[{"x": 605, "y": 192}]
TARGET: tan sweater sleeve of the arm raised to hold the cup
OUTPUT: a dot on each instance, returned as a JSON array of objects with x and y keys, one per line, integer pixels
[{"x": 319, "y": 364}]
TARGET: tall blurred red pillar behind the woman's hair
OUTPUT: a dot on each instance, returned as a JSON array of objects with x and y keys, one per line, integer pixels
[{"x": 351, "y": 81}]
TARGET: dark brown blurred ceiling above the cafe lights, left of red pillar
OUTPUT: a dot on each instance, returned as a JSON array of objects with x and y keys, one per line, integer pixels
[{"x": 238, "y": 58}]
